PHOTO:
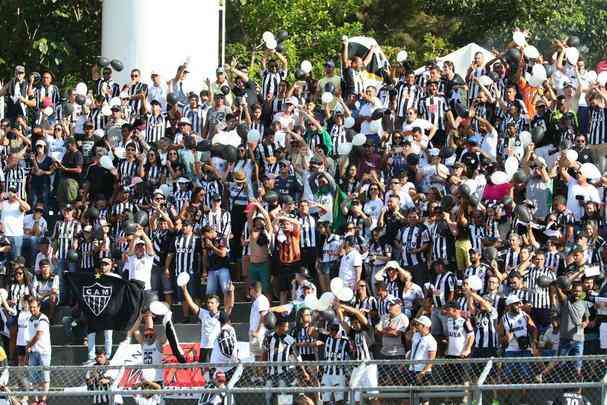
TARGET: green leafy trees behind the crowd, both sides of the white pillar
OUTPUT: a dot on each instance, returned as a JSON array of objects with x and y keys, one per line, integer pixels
[{"x": 64, "y": 36}]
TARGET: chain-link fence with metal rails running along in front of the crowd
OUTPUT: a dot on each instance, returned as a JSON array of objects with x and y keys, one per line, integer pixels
[{"x": 507, "y": 380}]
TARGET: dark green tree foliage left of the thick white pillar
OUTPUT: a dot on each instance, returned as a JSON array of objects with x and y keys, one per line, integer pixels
[{"x": 62, "y": 36}]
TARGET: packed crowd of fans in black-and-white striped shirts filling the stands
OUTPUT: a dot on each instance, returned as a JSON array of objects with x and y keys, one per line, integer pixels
[{"x": 433, "y": 214}]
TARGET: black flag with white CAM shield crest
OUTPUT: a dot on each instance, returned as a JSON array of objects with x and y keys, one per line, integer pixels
[{"x": 108, "y": 302}]
